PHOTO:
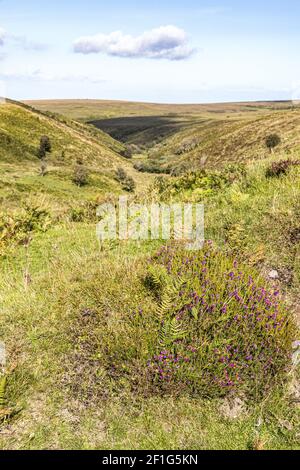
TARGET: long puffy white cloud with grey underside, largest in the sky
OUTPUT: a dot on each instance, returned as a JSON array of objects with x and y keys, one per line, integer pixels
[{"x": 166, "y": 42}]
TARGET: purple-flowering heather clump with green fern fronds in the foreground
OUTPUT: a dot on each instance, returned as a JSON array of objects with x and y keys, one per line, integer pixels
[{"x": 221, "y": 329}]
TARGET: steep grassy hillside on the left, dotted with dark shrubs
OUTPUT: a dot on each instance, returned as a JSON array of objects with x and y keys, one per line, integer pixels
[{"x": 20, "y": 132}]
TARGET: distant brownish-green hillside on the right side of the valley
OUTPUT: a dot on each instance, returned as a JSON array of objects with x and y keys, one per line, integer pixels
[{"x": 235, "y": 140}]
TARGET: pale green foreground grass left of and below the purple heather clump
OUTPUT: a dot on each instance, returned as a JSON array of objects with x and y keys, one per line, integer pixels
[{"x": 41, "y": 323}]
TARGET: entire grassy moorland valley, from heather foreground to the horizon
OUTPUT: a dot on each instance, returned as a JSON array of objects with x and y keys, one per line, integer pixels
[{"x": 139, "y": 344}]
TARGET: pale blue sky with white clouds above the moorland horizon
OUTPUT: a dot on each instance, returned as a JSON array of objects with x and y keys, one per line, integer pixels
[{"x": 191, "y": 51}]
